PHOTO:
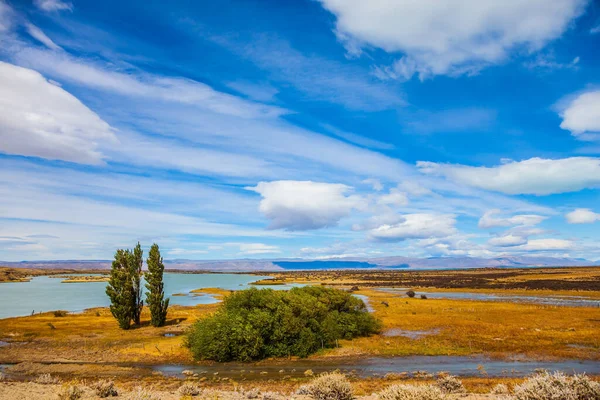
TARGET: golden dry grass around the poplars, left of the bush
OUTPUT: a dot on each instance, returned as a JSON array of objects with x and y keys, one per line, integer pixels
[{"x": 95, "y": 337}]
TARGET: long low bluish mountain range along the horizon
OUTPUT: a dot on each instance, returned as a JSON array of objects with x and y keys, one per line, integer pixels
[{"x": 394, "y": 262}]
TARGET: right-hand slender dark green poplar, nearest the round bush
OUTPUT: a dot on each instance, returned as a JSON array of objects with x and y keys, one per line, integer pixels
[{"x": 154, "y": 283}]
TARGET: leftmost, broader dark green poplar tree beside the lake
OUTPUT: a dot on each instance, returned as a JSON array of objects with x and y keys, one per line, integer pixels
[{"x": 119, "y": 288}]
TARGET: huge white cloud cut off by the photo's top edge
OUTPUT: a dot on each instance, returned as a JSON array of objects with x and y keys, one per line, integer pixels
[{"x": 456, "y": 37}]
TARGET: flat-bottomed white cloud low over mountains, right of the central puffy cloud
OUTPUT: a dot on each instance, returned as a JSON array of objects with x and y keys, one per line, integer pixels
[{"x": 416, "y": 226}]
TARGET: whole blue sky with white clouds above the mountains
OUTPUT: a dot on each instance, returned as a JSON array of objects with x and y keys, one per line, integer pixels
[{"x": 313, "y": 129}]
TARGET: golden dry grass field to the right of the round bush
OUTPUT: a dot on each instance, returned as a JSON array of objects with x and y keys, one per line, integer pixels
[{"x": 465, "y": 327}]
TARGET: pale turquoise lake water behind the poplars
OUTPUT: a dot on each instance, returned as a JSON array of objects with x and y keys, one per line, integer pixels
[{"x": 44, "y": 293}]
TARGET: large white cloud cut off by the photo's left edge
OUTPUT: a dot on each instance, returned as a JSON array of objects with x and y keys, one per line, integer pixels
[{"x": 40, "y": 119}]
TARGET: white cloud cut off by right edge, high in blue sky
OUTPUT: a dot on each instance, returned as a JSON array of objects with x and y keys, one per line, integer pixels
[{"x": 582, "y": 115}]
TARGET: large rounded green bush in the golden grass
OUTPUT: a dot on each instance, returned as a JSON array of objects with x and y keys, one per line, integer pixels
[{"x": 254, "y": 324}]
